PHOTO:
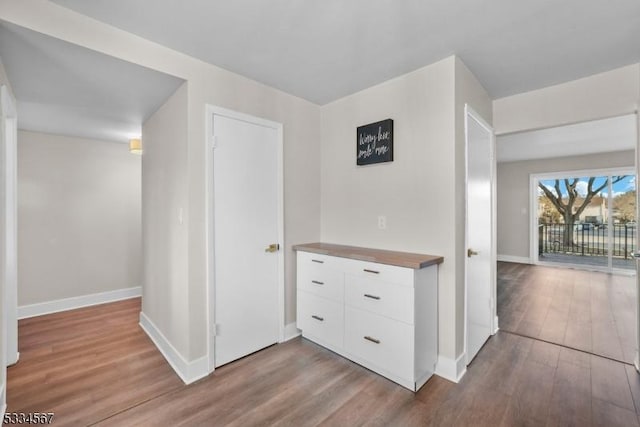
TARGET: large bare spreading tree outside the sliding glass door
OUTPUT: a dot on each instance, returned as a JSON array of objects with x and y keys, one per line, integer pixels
[{"x": 570, "y": 203}]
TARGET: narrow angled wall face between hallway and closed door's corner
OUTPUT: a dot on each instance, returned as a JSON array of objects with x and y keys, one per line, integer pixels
[{"x": 164, "y": 197}]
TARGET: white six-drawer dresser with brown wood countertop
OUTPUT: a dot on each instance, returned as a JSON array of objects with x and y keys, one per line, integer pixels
[{"x": 376, "y": 308}]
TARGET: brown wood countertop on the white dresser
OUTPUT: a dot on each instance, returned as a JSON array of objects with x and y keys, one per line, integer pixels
[{"x": 400, "y": 259}]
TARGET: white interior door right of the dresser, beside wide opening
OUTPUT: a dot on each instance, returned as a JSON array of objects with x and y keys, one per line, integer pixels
[{"x": 480, "y": 229}]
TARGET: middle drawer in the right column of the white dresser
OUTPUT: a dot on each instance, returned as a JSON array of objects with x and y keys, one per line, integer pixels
[{"x": 386, "y": 299}]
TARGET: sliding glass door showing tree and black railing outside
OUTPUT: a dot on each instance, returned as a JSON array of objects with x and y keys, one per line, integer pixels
[{"x": 585, "y": 219}]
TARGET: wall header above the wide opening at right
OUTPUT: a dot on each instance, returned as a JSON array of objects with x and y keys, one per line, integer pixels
[{"x": 609, "y": 94}]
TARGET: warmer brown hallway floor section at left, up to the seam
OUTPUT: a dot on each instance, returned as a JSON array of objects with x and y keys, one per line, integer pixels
[{"x": 86, "y": 365}]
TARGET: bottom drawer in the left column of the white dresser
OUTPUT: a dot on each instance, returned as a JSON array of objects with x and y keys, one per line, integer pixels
[{"x": 321, "y": 319}]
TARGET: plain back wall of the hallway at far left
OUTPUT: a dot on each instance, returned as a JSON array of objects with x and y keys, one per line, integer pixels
[{"x": 79, "y": 217}]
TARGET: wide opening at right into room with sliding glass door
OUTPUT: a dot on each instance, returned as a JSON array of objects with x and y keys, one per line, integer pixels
[{"x": 574, "y": 285}]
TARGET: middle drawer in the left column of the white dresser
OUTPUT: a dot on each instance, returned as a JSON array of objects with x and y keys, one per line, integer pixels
[{"x": 321, "y": 280}]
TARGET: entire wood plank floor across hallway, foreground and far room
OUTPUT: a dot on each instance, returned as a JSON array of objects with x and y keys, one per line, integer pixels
[{"x": 96, "y": 367}]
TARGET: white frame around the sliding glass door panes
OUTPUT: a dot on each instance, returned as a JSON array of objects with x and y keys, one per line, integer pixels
[{"x": 533, "y": 215}]
